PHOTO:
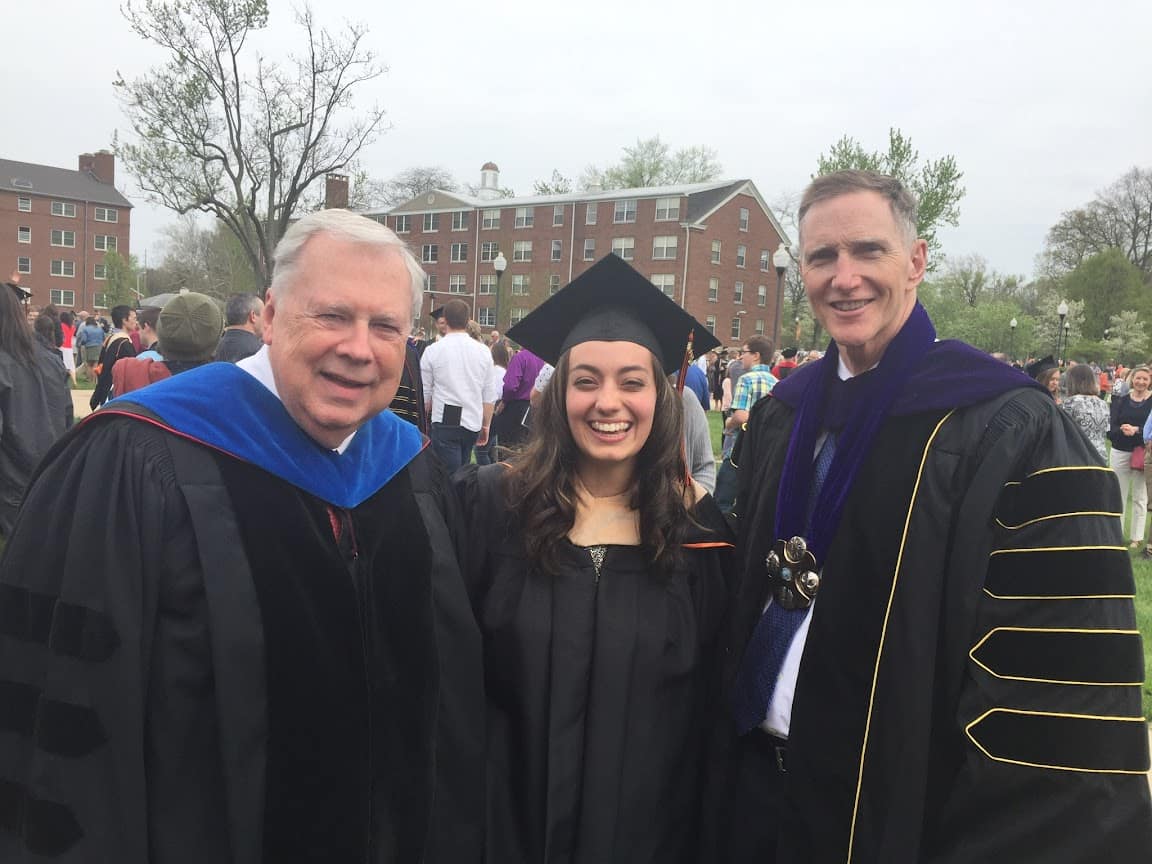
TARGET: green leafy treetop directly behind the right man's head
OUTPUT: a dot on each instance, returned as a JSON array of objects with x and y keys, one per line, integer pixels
[{"x": 936, "y": 184}]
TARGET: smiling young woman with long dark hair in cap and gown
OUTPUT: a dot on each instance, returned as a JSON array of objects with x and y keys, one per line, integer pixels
[{"x": 598, "y": 574}]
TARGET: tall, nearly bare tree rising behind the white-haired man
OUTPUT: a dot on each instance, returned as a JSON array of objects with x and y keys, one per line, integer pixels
[{"x": 224, "y": 131}]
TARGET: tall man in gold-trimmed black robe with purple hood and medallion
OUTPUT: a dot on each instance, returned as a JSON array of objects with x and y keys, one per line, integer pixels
[{"x": 944, "y": 665}]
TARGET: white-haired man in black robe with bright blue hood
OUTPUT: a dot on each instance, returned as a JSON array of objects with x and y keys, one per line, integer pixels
[{"x": 232, "y": 628}]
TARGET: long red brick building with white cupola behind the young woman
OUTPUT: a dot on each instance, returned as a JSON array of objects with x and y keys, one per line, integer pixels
[{"x": 709, "y": 246}]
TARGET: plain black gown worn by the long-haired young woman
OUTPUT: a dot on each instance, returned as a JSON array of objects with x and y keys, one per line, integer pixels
[{"x": 598, "y": 692}]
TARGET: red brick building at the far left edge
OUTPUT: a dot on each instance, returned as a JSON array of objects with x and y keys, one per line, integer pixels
[{"x": 56, "y": 226}]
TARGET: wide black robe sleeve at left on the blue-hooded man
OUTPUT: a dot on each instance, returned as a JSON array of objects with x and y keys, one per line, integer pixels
[{"x": 104, "y": 662}]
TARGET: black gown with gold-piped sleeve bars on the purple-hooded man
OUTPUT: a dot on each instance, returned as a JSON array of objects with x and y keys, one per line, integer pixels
[{"x": 971, "y": 686}]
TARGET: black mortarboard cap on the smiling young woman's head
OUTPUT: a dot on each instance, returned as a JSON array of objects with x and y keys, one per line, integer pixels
[{"x": 611, "y": 302}]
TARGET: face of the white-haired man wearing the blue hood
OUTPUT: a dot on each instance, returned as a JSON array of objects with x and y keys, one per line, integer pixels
[{"x": 337, "y": 335}]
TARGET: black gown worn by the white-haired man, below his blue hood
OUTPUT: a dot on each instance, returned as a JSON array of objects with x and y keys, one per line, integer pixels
[{"x": 202, "y": 663}]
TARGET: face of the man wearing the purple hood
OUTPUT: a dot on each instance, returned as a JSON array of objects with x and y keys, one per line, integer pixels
[{"x": 861, "y": 274}]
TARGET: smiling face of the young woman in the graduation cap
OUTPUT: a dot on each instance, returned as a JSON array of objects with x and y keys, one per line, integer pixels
[{"x": 611, "y": 399}]
